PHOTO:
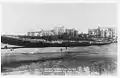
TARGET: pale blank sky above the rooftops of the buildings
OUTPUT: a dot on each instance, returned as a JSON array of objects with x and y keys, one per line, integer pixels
[{"x": 19, "y": 18}]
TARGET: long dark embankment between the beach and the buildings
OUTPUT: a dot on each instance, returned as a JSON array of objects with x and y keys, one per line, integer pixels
[{"x": 30, "y": 43}]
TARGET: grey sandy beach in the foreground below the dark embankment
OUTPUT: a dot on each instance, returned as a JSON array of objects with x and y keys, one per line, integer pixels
[{"x": 72, "y": 57}]
